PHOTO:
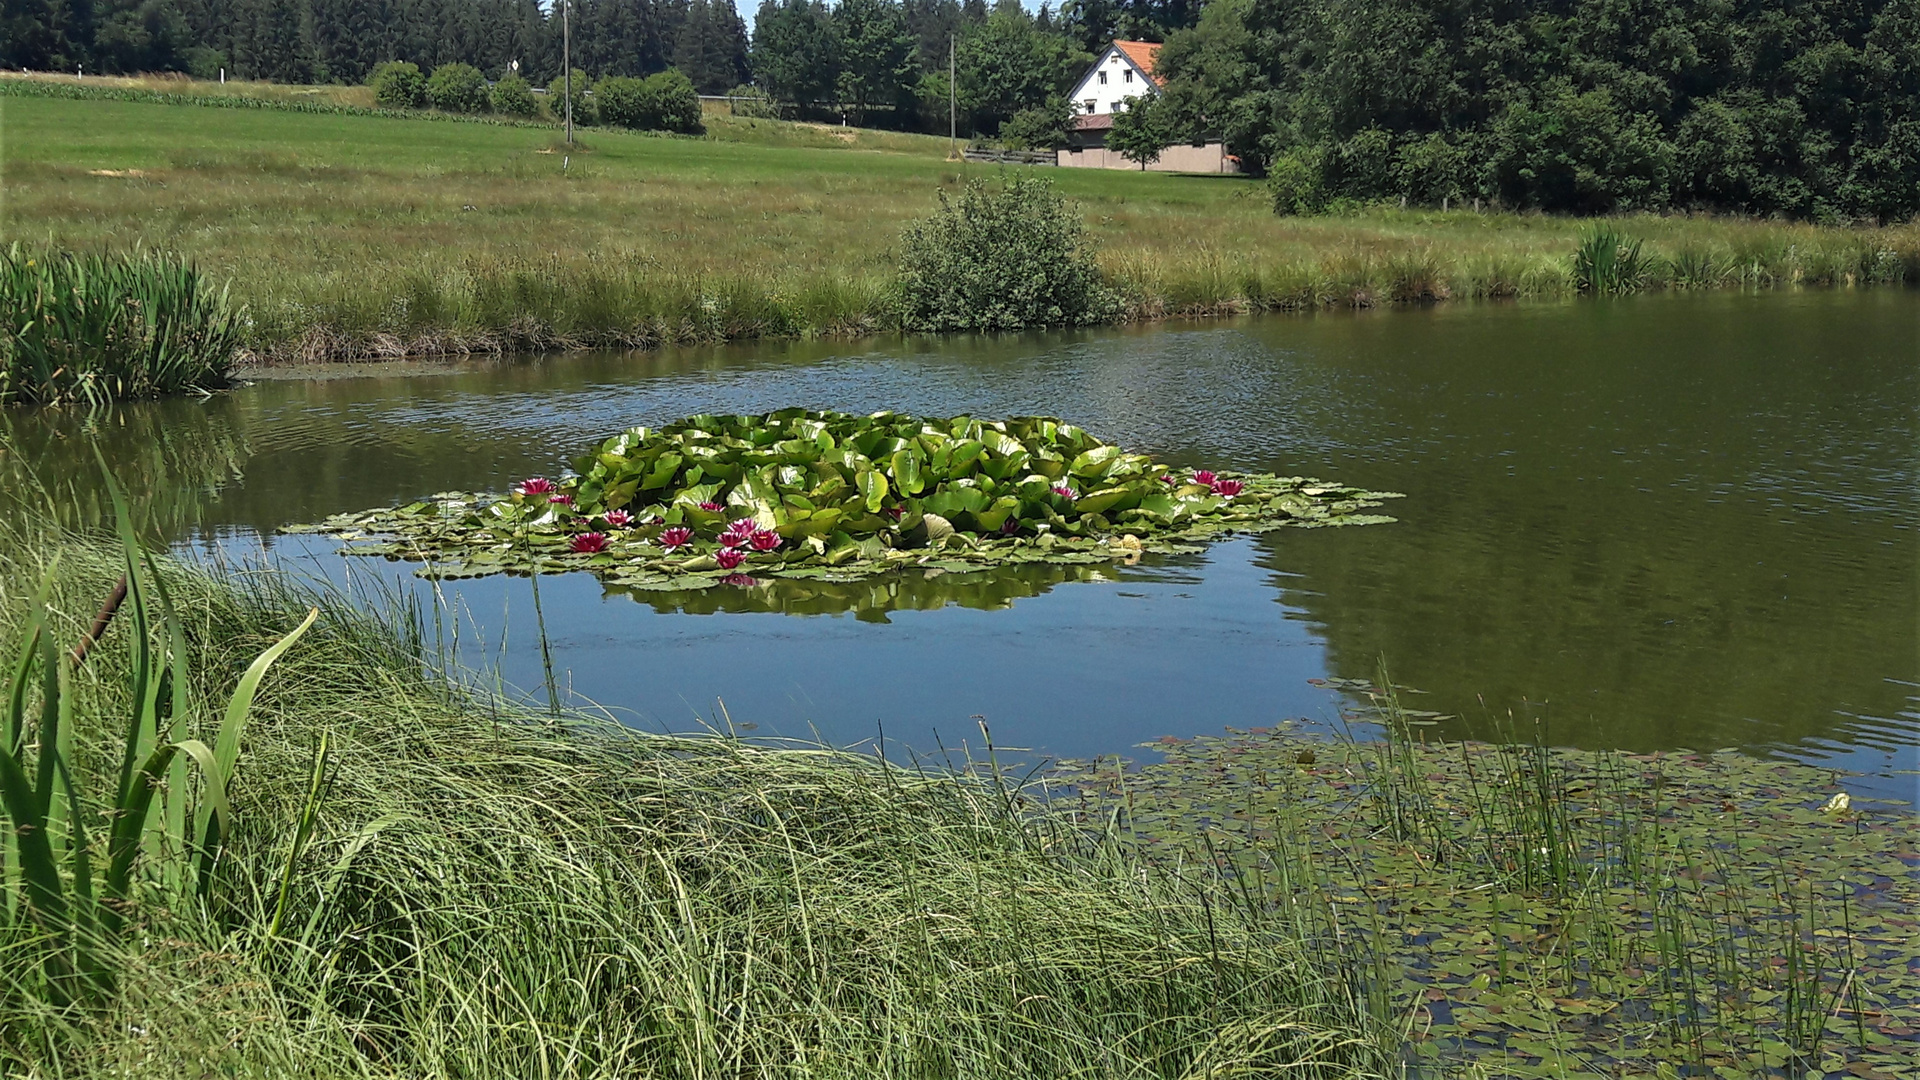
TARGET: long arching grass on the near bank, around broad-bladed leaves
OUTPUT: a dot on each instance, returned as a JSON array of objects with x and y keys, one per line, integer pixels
[{"x": 423, "y": 885}]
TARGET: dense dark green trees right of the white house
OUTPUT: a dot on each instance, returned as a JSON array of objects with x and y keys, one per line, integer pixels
[{"x": 1591, "y": 107}]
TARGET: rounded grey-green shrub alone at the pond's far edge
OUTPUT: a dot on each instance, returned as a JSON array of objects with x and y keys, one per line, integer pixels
[{"x": 1001, "y": 260}]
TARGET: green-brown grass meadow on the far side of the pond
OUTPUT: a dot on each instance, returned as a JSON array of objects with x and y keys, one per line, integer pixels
[{"x": 385, "y": 235}]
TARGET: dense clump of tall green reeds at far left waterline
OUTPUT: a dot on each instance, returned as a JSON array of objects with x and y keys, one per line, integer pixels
[{"x": 105, "y": 328}]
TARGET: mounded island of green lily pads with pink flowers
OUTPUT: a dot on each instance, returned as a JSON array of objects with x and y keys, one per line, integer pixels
[{"x": 836, "y": 499}]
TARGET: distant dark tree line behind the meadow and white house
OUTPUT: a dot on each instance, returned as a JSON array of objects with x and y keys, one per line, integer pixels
[{"x": 873, "y": 61}]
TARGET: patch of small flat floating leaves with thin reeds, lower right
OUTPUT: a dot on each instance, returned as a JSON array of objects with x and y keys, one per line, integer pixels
[{"x": 1535, "y": 912}]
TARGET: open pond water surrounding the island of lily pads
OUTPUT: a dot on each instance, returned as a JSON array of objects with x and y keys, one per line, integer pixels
[{"x": 1644, "y": 524}]
